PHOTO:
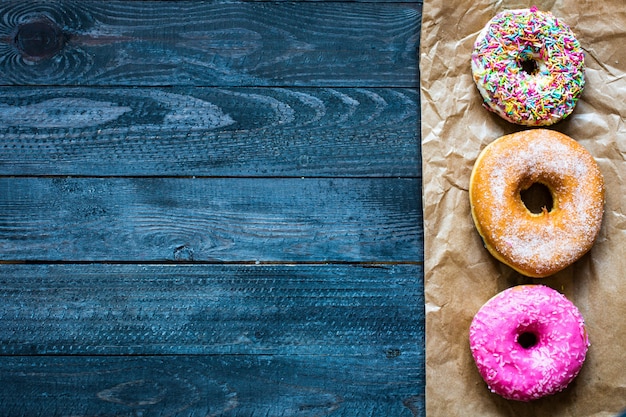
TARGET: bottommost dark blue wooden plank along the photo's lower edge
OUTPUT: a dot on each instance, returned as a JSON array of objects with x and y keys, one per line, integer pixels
[{"x": 232, "y": 385}]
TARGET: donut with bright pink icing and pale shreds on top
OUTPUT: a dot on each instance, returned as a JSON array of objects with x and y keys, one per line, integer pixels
[{"x": 528, "y": 341}]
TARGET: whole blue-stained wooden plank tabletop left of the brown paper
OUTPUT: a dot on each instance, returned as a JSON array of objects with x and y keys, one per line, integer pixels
[{"x": 210, "y": 209}]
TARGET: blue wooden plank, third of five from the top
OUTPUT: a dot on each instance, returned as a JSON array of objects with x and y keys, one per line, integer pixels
[{"x": 210, "y": 219}]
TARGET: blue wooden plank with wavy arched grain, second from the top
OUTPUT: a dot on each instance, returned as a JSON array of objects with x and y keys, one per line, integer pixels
[{"x": 195, "y": 131}]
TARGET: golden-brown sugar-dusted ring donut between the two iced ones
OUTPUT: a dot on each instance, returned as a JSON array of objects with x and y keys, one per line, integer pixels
[{"x": 543, "y": 243}]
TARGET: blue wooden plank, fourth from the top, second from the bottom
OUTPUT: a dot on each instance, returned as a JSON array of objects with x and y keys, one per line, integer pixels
[{"x": 324, "y": 310}]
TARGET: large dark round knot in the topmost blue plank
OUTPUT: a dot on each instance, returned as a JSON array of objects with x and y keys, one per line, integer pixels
[{"x": 39, "y": 39}]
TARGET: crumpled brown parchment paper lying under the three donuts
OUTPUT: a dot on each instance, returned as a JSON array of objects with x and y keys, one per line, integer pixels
[{"x": 460, "y": 275}]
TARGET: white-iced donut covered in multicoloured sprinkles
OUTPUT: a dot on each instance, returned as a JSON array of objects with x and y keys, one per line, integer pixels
[{"x": 529, "y": 67}]
